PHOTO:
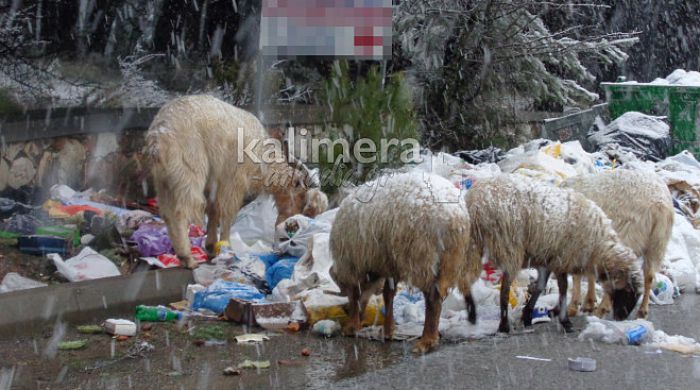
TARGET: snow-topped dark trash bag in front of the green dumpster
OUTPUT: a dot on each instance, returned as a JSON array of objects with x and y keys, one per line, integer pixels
[{"x": 647, "y": 137}]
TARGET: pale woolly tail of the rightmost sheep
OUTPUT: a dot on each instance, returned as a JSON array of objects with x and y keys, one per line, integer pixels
[{"x": 659, "y": 237}]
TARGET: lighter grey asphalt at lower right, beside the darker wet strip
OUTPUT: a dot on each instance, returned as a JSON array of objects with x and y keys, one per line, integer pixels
[{"x": 492, "y": 363}]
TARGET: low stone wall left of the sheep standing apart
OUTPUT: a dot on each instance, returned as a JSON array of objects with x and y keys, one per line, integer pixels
[{"x": 110, "y": 161}]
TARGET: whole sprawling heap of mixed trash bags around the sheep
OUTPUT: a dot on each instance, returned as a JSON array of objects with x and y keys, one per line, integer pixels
[{"x": 277, "y": 277}]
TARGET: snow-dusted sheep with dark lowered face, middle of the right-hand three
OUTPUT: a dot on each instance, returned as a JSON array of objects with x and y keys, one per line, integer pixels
[{"x": 520, "y": 223}]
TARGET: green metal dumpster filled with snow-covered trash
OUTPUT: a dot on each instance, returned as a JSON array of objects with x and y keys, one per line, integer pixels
[{"x": 679, "y": 103}]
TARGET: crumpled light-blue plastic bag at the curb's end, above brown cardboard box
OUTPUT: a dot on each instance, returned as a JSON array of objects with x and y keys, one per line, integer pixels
[{"x": 217, "y": 296}]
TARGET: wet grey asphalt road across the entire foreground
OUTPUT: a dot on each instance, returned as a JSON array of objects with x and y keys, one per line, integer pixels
[{"x": 348, "y": 363}]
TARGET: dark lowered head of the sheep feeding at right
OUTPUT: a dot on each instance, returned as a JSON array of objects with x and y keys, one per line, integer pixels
[{"x": 622, "y": 281}]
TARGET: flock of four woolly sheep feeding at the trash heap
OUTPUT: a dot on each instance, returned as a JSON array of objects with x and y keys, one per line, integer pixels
[{"x": 418, "y": 228}]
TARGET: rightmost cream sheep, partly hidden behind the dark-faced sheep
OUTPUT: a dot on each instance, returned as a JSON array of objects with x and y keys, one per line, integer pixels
[{"x": 640, "y": 207}]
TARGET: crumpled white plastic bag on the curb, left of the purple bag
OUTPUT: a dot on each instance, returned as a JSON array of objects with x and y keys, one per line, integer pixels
[{"x": 87, "y": 265}]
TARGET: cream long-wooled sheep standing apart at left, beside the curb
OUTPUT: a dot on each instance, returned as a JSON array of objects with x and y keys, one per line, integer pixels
[{"x": 208, "y": 156}]
